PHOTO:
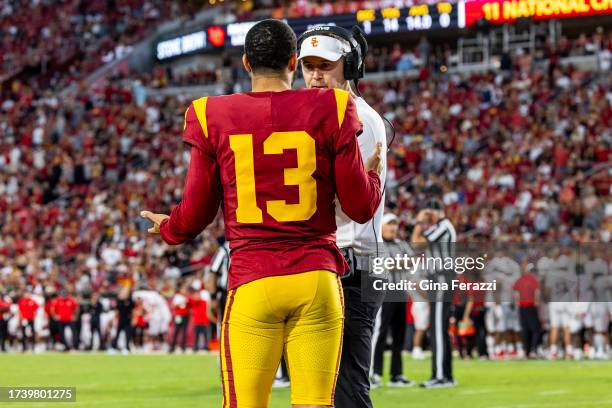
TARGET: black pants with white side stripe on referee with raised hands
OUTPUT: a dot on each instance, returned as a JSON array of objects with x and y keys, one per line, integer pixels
[{"x": 441, "y": 361}]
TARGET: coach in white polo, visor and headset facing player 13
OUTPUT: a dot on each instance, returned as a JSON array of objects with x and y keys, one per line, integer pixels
[{"x": 332, "y": 57}]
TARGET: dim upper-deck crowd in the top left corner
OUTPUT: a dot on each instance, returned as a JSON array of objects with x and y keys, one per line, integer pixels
[{"x": 58, "y": 42}]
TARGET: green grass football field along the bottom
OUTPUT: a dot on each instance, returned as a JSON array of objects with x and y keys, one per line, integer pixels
[{"x": 193, "y": 381}]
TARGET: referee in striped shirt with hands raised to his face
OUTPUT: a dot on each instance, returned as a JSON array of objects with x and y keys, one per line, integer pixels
[{"x": 439, "y": 235}]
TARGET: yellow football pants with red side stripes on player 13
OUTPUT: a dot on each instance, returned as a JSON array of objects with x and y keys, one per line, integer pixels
[{"x": 302, "y": 314}]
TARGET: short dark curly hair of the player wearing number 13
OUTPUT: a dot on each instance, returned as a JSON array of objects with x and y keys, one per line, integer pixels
[{"x": 269, "y": 45}]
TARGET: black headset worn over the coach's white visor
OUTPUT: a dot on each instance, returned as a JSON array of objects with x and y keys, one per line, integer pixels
[{"x": 353, "y": 60}]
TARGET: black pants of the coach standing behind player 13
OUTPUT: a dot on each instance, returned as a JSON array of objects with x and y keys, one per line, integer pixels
[{"x": 353, "y": 385}]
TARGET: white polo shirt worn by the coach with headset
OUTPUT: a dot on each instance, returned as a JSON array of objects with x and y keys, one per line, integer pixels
[{"x": 362, "y": 237}]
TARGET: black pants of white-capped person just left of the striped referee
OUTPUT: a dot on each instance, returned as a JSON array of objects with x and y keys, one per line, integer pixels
[{"x": 393, "y": 317}]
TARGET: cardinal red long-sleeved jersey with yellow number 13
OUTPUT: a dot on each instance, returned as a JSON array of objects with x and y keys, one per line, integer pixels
[{"x": 277, "y": 161}]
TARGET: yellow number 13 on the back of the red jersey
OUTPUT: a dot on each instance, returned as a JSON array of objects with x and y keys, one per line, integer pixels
[{"x": 247, "y": 211}]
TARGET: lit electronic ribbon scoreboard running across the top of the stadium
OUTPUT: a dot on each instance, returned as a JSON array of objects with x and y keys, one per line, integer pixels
[{"x": 418, "y": 18}]
